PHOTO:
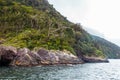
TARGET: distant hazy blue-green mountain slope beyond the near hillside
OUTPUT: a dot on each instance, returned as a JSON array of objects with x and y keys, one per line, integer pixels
[{"x": 109, "y": 49}]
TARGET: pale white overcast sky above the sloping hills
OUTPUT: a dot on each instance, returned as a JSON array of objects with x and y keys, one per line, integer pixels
[{"x": 101, "y": 16}]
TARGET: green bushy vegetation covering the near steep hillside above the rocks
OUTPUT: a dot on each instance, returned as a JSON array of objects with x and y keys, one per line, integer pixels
[{"x": 35, "y": 24}]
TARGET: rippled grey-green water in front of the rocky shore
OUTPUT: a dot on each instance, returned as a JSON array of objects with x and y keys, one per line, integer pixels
[{"x": 88, "y": 71}]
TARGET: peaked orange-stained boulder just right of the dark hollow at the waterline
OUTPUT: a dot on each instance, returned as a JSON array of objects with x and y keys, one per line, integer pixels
[{"x": 25, "y": 57}]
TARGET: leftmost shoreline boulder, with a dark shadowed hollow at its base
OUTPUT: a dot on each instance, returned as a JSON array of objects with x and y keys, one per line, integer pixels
[{"x": 7, "y": 55}]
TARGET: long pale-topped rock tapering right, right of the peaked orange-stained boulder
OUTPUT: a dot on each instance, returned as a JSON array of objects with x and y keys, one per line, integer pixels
[{"x": 58, "y": 57}]
